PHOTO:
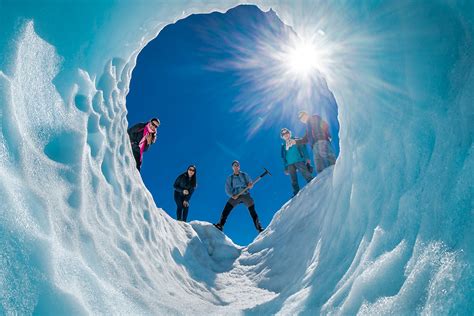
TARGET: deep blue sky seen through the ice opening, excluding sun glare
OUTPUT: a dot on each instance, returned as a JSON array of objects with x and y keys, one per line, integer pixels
[{"x": 213, "y": 109}]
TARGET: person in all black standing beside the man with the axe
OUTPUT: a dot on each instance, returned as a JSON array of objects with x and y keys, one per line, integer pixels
[{"x": 184, "y": 186}]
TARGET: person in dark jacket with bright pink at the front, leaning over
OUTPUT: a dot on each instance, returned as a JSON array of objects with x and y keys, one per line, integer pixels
[{"x": 142, "y": 135}]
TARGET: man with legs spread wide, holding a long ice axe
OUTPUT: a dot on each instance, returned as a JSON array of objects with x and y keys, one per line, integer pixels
[{"x": 236, "y": 183}]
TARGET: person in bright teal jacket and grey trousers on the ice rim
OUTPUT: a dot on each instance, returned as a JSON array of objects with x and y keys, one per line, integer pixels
[{"x": 295, "y": 157}]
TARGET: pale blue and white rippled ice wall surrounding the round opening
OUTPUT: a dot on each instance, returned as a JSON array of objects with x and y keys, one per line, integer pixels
[{"x": 388, "y": 230}]
